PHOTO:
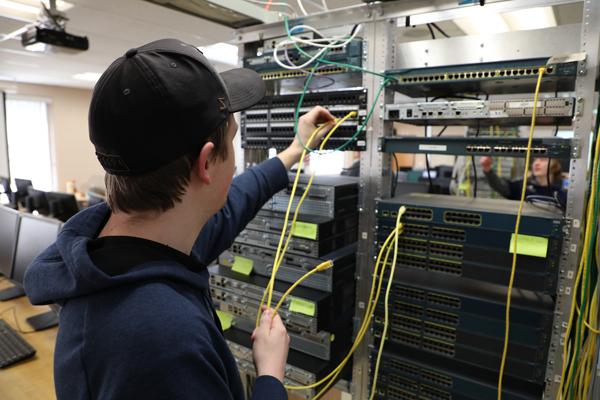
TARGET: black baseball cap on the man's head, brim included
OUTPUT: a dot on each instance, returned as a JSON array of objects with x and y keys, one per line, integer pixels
[{"x": 162, "y": 101}]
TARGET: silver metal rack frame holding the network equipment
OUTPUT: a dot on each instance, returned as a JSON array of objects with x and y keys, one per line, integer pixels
[{"x": 380, "y": 23}]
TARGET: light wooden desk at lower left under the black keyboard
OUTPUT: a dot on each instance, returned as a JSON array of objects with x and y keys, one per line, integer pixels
[{"x": 32, "y": 378}]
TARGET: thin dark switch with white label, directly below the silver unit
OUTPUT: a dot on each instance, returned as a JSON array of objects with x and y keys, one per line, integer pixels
[{"x": 478, "y": 146}]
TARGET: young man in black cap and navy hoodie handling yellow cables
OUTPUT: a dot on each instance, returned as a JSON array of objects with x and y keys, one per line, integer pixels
[{"x": 137, "y": 321}]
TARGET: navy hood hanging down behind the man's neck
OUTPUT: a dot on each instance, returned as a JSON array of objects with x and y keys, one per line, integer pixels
[{"x": 65, "y": 270}]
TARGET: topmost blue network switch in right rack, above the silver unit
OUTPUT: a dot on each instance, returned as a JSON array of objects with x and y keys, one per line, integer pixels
[{"x": 516, "y": 76}]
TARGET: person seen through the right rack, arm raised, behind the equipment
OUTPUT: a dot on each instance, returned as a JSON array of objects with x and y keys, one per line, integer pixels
[{"x": 537, "y": 184}]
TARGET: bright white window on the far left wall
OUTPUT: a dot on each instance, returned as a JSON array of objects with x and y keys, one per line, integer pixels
[{"x": 28, "y": 136}]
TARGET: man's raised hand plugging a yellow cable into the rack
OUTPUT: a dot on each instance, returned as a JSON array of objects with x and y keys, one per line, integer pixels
[{"x": 306, "y": 126}]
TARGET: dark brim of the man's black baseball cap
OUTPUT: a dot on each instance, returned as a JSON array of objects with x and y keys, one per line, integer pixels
[{"x": 245, "y": 88}]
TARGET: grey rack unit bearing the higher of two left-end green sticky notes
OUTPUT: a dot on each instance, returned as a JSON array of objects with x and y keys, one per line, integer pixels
[{"x": 294, "y": 266}]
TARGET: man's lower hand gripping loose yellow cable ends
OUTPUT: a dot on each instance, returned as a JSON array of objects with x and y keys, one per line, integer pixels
[{"x": 271, "y": 345}]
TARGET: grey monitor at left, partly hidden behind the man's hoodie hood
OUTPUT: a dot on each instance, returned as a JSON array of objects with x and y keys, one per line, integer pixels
[{"x": 36, "y": 233}]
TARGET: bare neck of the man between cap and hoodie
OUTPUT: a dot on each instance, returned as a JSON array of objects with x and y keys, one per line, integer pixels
[{"x": 177, "y": 228}]
